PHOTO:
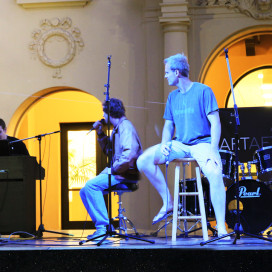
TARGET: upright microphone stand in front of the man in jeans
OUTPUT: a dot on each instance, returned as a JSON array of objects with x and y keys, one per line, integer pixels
[{"x": 110, "y": 232}]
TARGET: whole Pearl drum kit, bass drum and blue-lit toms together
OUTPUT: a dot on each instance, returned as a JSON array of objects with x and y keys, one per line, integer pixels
[{"x": 255, "y": 195}]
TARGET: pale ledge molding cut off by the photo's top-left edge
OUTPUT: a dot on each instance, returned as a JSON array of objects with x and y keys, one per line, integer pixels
[{"x": 52, "y": 3}]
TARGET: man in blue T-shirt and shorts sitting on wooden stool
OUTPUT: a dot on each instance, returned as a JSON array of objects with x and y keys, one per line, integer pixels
[{"x": 192, "y": 113}]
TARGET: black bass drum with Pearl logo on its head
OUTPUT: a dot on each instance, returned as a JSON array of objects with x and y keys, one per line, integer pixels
[{"x": 254, "y": 205}]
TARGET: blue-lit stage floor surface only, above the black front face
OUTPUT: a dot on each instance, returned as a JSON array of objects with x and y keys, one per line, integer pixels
[{"x": 76, "y": 240}]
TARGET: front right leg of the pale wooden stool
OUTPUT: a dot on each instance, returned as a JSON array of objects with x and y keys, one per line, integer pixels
[{"x": 201, "y": 205}]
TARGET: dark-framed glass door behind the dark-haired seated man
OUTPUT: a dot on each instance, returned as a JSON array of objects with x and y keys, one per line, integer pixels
[{"x": 81, "y": 160}]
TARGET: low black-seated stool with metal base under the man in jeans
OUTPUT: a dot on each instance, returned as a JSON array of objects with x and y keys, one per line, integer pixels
[{"x": 120, "y": 189}]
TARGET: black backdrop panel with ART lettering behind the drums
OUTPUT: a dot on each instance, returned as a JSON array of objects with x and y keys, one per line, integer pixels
[{"x": 255, "y": 130}]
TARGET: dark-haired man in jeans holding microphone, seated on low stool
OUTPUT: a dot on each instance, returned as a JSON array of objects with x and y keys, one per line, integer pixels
[{"x": 126, "y": 148}]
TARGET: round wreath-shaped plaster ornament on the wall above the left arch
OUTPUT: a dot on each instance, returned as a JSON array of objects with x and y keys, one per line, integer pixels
[{"x": 53, "y": 31}]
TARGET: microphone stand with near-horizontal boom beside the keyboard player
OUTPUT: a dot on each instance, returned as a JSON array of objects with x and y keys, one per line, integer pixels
[{"x": 41, "y": 228}]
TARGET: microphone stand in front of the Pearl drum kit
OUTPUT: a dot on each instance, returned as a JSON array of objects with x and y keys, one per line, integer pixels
[{"x": 238, "y": 228}]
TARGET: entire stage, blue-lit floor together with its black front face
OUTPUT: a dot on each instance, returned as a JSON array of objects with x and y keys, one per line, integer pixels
[{"x": 55, "y": 252}]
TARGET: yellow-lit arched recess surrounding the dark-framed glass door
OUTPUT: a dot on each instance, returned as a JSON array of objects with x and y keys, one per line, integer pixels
[{"x": 41, "y": 114}]
